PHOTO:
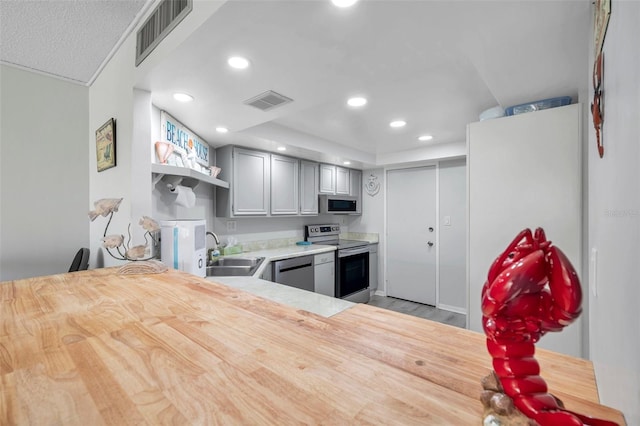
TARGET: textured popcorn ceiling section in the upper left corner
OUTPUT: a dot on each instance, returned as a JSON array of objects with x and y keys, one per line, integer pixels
[{"x": 65, "y": 38}]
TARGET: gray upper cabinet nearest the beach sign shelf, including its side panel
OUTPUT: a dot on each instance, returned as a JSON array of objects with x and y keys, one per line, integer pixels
[{"x": 248, "y": 173}]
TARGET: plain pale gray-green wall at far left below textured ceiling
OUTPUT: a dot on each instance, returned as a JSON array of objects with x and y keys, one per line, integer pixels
[{"x": 43, "y": 173}]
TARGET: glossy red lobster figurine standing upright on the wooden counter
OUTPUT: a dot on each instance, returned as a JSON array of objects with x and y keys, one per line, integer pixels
[{"x": 531, "y": 289}]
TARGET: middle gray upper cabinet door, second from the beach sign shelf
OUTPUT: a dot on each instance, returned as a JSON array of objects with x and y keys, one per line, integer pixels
[{"x": 284, "y": 185}]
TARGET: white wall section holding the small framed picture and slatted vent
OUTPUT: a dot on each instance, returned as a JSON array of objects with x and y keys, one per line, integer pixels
[{"x": 113, "y": 95}]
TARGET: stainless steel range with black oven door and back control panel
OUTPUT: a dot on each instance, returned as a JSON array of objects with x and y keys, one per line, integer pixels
[{"x": 352, "y": 261}]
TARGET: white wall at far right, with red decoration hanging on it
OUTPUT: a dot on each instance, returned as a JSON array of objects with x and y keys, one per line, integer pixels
[{"x": 614, "y": 219}]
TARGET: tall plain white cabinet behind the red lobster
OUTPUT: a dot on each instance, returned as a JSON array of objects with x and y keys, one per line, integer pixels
[{"x": 524, "y": 171}]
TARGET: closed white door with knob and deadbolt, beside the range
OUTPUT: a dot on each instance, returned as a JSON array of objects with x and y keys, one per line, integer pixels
[{"x": 411, "y": 243}]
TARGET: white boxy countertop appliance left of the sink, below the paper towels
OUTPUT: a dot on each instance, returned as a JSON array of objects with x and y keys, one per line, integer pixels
[{"x": 183, "y": 245}]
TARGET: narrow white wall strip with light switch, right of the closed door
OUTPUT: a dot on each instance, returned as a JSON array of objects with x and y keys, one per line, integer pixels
[{"x": 452, "y": 239}]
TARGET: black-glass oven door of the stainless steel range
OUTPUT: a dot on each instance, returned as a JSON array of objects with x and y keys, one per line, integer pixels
[{"x": 352, "y": 274}]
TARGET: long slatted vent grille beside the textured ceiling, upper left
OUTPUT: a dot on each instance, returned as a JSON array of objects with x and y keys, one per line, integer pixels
[{"x": 162, "y": 21}]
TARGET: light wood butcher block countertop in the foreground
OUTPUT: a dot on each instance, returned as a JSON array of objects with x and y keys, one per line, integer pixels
[{"x": 94, "y": 347}]
